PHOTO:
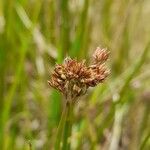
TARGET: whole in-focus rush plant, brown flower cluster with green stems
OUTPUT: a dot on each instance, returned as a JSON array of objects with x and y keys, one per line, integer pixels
[{"x": 72, "y": 79}]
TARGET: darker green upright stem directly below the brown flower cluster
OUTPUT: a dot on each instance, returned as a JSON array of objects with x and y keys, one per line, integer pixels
[{"x": 68, "y": 127}]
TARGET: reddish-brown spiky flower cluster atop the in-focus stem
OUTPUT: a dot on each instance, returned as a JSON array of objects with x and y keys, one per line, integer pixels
[{"x": 73, "y": 78}]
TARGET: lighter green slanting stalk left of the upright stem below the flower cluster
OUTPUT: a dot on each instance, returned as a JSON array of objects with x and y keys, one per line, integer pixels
[{"x": 61, "y": 128}]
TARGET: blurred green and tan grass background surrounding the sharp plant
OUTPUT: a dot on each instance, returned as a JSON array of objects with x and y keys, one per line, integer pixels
[{"x": 35, "y": 34}]
